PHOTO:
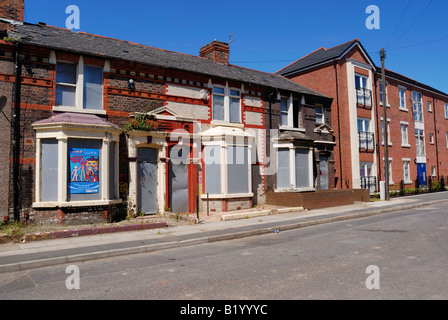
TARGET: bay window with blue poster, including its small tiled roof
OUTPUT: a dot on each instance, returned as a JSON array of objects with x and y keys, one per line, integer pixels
[{"x": 76, "y": 161}]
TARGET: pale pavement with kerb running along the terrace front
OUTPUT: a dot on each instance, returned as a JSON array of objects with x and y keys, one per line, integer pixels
[{"x": 215, "y": 227}]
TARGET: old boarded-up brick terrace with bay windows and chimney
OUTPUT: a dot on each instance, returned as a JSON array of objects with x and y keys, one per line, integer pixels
[{"x": 93, "y": 127}]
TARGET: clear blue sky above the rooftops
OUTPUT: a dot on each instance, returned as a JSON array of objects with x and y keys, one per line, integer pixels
[{"x": 269, "y": 35}]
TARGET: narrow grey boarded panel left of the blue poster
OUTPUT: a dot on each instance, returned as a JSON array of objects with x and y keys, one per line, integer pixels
[{"x": 49, "y": 170}]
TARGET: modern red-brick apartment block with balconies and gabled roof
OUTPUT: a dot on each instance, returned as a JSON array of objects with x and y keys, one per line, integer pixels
[{"x": 417, "y": 118}]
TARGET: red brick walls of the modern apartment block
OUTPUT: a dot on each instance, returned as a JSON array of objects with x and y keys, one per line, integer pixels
[{"x": 331, "y": 79}]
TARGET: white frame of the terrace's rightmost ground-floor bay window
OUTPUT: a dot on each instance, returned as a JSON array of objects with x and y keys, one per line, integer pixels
[{"x": 292, "y": 171}]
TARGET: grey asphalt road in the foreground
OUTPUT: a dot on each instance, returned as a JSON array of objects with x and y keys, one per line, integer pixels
[{"x": 407, "y": 249}]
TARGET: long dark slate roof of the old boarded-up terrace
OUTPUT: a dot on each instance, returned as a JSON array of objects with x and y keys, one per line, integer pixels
[{"x": 83, "y": 43}]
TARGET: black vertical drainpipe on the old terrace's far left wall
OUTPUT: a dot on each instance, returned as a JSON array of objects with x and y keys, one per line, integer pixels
[{"x": 16, "y": 134}]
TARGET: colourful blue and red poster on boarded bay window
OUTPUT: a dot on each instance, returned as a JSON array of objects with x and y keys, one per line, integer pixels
[{"x": 84, "y": 170}]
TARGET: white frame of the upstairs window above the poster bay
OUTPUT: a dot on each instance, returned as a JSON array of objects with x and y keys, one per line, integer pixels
[{"x": 79, "y": 92}]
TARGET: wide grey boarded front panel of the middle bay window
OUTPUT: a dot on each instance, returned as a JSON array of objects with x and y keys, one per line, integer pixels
[{"x": 237, "y": 169}]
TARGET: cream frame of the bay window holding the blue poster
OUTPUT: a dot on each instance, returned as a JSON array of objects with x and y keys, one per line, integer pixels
[{"x": 62, "y": 134}]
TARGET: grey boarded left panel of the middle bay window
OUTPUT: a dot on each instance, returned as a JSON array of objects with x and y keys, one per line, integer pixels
[{"x": 212, "y": 169}]
